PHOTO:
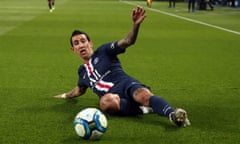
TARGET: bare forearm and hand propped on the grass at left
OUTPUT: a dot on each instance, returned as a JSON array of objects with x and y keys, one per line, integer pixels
[{"x": 77, "y": 91}]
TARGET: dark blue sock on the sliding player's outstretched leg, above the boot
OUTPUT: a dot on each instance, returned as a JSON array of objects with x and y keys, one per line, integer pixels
[{"x": 160, "y": 106}]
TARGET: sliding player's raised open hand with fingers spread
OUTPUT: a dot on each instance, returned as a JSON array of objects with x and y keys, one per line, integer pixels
[{"x": 138, "y": 15}]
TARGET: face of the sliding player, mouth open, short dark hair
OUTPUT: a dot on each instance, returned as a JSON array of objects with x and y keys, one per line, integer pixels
[{"x": 82, "y": 47}]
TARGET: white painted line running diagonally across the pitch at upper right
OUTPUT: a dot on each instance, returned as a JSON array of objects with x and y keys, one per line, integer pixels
[{"x": 187, "y": 19}]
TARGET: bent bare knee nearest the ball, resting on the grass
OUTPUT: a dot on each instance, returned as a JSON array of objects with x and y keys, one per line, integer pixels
[{"x": 110, "y": 103}]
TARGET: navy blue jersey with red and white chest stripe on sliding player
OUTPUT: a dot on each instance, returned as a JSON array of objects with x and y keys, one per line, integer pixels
[{"x": 104, "y": 74}]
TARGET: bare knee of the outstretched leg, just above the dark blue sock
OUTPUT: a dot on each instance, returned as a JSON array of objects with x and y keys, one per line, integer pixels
[{"x": 142, "y": 96}]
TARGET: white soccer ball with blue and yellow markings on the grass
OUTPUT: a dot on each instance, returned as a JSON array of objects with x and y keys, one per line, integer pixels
[{"x": 90, "y": 123}]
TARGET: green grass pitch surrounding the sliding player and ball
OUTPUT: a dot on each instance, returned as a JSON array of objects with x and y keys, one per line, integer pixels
[{"x": 190, "y": 59}]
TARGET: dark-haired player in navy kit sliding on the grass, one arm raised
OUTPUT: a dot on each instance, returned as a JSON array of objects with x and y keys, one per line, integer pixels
[{"x": 118, "y": 92}]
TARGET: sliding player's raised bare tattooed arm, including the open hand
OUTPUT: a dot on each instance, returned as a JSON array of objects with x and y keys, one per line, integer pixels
[{"x": 138, "y": 15}]
